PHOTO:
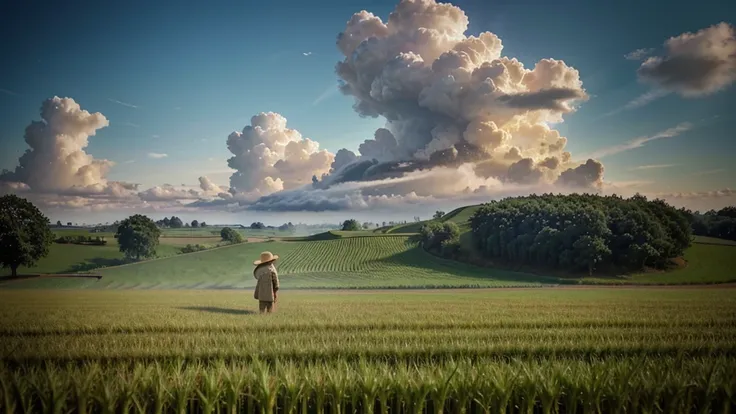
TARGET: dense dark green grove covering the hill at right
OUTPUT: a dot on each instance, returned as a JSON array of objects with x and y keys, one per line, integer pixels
[{"x": 581, "y": 232}]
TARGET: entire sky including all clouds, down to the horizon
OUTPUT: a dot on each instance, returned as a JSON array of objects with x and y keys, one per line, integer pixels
[{"x": 172, "y": 81}]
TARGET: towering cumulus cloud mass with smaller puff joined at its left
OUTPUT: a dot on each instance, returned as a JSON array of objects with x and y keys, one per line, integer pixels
[{"x": 460, "y": 118}]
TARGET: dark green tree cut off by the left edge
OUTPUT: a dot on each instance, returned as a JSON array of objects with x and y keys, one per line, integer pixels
[{"x": 25, "y": 236}]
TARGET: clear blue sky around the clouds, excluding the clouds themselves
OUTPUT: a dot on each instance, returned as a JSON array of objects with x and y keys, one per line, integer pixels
[{"x": 178, "y": 77}]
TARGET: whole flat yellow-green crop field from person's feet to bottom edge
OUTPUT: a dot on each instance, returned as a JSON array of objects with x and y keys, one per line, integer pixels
[{"x": 479, "y": 351}]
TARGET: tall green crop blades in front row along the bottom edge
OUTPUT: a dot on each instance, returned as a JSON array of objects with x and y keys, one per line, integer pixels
[{"x": 613, "y": 385}]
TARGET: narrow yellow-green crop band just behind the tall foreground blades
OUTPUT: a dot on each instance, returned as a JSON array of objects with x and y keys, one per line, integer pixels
[{"x": 377, "y": 345}]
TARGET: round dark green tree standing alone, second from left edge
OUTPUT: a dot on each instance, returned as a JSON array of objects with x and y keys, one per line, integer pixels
[{"x": 138, "y": 237}]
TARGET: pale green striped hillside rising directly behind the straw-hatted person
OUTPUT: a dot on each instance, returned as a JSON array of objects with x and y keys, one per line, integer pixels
[{"x": 343, "y": 262}]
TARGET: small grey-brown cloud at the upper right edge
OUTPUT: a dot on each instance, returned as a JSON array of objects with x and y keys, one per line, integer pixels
[{"x": 695, "y": 64}]
